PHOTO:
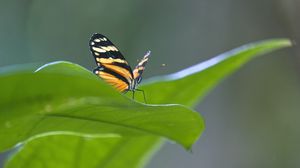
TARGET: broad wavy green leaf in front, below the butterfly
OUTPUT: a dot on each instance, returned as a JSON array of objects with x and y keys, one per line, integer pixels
[{"x": 60, "y": 102}]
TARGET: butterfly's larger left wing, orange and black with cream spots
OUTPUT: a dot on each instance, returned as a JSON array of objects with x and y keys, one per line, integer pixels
[{"x": 112, "y": 66}]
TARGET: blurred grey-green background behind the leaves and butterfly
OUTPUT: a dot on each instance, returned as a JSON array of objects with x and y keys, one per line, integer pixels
[{"x": 252, "y": 117}]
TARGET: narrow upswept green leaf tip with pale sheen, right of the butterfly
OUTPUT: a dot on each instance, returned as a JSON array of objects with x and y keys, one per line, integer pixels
[{"x": 188, "y": 86}]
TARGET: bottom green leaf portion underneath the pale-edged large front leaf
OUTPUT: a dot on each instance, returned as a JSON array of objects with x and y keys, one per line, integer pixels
[{"x": 64, "y": 151}]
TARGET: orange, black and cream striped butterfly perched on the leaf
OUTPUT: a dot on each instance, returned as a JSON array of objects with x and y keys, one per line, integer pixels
[{"x": 113, "y": 68}]
